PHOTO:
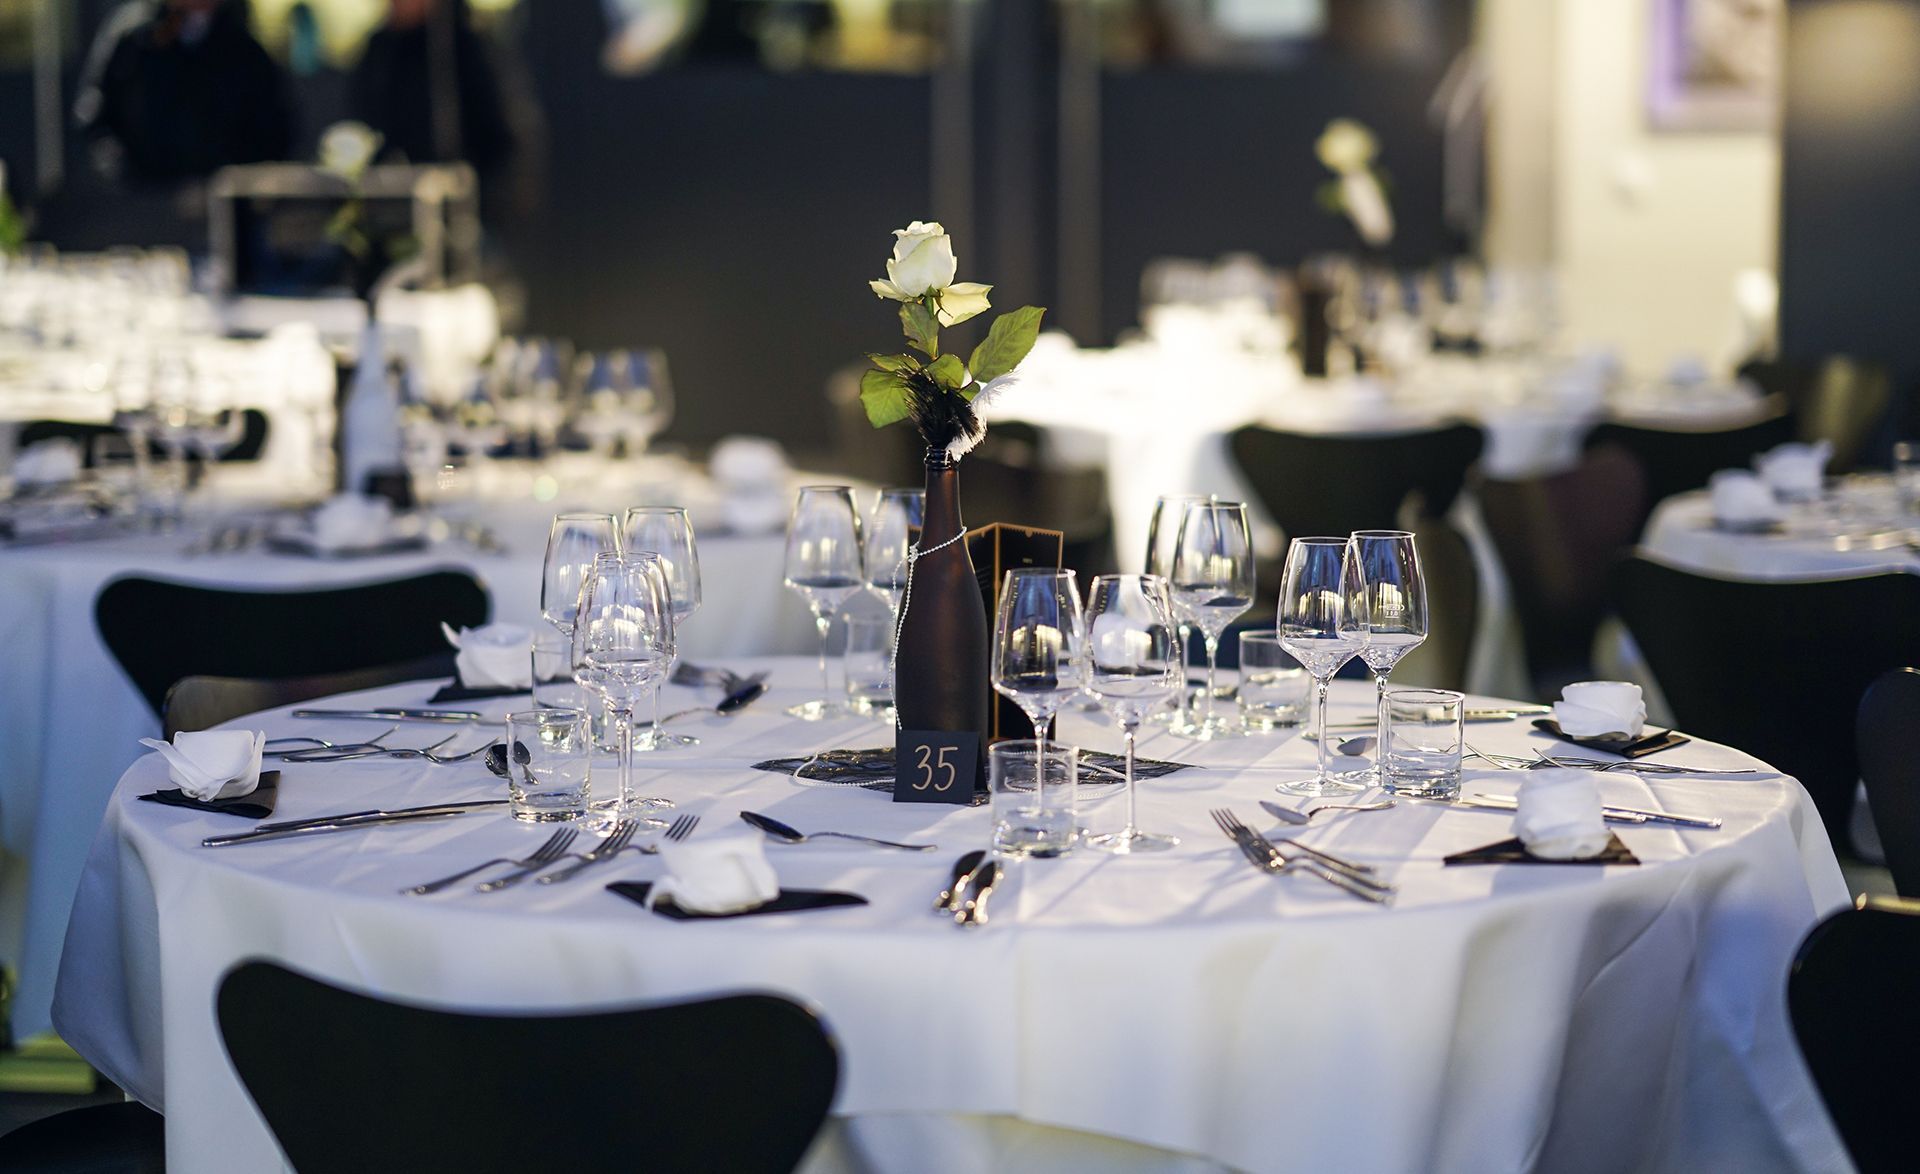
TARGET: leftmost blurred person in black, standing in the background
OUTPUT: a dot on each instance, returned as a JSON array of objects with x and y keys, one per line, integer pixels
[{"x": 180, "y": 89}]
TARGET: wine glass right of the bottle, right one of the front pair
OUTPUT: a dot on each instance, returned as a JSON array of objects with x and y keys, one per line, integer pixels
[{"x": 1134, "y": 668}]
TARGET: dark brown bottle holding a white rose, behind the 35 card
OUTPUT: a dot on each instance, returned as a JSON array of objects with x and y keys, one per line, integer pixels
[{"x": 942, "y": 662}]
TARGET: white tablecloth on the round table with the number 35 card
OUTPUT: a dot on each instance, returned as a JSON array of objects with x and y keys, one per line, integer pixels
[{"x": 1493, "y": 1019}]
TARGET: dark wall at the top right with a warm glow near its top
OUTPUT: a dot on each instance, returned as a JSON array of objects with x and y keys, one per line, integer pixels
[{"x": 1850, "y": 199}]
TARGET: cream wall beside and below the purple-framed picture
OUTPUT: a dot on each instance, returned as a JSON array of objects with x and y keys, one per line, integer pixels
[{"x": 1646, "y": 230}]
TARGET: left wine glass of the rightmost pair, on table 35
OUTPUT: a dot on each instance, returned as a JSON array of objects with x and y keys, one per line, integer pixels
[{"x": 1322, "y": 624}]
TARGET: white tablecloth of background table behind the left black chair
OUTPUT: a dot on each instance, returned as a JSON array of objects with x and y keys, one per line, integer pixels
[{"x": 70, "y": 718}]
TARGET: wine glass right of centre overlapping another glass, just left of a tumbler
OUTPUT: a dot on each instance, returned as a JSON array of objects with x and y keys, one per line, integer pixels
[{"x": 1212, "y": 585}]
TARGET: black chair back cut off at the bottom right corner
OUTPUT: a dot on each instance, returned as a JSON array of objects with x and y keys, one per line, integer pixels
[{"x": 1858, "y": 1023}]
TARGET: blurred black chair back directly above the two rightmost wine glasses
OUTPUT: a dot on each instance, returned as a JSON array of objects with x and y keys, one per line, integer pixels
[{"x": 1337, "y": 485}]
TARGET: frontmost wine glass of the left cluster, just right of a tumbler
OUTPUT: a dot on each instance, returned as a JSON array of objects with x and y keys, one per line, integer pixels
[{"x": 623, "y": 648}]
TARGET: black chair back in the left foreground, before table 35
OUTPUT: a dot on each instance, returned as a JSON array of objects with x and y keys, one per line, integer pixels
[{"x": 356, "y": 1085}]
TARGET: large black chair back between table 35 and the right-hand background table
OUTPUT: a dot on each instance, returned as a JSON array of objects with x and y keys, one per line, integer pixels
[{"x": 1777, "y": 670}]
